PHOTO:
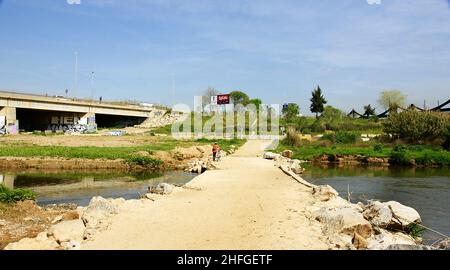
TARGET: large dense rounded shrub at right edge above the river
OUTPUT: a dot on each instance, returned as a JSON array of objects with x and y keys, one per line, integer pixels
[{"x": 416, "y": 126}]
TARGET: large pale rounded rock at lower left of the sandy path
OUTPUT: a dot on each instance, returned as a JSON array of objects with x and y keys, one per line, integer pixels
[{"x": 66, "y": 231}]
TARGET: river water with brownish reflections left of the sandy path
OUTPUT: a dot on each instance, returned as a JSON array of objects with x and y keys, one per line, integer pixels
[{"x": 80, "y": 187}]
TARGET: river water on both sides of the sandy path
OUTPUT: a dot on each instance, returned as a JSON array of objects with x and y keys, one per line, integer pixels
[{"x": 426, "y": 190}]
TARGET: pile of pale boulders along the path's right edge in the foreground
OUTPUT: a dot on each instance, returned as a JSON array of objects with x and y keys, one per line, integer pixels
[{"x": 376, "y": 225}]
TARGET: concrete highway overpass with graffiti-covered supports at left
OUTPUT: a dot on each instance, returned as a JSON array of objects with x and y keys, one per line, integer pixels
[{"x": 30, "y": 112}]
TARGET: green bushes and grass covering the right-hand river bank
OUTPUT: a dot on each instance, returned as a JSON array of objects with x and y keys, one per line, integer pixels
[{"x": 408, "y": 138}]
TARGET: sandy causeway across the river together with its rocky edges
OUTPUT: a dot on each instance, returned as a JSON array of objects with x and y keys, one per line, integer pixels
[{"x": 247, "y": 203}]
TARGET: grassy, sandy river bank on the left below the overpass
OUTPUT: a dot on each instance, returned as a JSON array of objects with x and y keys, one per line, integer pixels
[{"x": 127, "y": 153}]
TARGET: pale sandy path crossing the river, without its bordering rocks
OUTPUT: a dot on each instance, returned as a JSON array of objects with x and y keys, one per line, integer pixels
[{"x": 247, "y": 204}]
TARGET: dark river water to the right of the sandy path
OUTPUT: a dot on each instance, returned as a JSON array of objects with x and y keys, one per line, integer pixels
[{"x": 426, "y": 190}]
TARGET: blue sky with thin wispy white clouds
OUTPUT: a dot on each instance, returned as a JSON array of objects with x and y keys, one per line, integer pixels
[{"x": 167, "y": 51}]
